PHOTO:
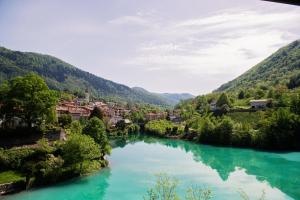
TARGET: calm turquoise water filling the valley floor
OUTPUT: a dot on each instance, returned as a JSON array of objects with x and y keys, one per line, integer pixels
[{"x": 225, "y": 171}]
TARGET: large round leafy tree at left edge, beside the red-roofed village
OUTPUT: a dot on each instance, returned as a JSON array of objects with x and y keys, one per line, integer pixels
[{"x": 27, "y": 98}]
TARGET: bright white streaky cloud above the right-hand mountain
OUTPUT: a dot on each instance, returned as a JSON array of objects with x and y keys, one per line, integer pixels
[{"x": 225, "y": 43}]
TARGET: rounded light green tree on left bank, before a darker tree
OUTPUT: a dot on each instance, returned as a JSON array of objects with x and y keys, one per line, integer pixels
[{"x": 79, "y": 148}]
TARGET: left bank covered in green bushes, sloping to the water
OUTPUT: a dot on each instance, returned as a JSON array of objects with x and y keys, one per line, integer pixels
[{"x": 43, "y": 164}]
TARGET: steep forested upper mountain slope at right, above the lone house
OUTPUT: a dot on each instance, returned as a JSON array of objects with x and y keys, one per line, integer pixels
[{"x": 278, "y": 68}]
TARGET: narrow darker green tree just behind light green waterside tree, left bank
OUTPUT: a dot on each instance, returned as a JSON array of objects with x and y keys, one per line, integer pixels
[{"x": 96, "y": 129}]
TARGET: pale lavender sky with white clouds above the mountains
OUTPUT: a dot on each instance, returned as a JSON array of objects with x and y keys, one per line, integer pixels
[{"x": 161, "y": 45}]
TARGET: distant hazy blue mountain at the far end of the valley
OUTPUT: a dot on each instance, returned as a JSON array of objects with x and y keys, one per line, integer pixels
[{"x": 171, "y": 98}]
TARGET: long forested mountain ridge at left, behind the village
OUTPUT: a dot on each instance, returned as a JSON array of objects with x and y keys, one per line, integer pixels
[{"x": 60, "y": 75}]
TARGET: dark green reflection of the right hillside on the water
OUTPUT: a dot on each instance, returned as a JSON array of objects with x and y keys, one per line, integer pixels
[{"x": 280, "y": 170}]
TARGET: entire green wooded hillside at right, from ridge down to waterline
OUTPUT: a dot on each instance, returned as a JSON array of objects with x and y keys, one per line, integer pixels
[{"x": 228, "y": 116}]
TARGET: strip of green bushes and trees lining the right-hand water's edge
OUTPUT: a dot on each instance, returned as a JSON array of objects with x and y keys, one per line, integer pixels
[{"x": 223, "y": 132}]
